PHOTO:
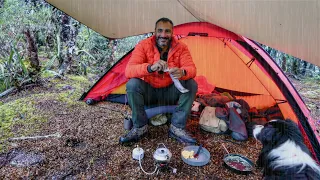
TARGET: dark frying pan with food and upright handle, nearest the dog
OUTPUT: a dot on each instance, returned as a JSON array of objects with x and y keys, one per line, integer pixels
[{"x": 237, "y": 163}]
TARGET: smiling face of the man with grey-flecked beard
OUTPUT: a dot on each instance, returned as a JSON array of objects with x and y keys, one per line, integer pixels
[{"x": 163, "y": 33}]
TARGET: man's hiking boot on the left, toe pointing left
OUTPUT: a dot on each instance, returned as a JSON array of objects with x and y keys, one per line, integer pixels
[{"x": 134, "y": 135}]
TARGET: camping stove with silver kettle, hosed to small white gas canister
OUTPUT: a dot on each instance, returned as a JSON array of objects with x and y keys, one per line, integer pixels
[{"x": 161, "y": 157}]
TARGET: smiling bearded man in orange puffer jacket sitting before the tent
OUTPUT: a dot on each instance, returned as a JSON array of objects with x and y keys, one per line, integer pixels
[{"x": 149, "y": 84}]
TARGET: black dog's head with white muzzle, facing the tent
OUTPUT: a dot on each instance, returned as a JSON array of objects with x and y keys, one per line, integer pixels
[{"x": 276, "y": 132}]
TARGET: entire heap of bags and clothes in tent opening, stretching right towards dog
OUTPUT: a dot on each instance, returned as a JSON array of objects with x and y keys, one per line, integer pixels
[{"x": 223, "y": 113}]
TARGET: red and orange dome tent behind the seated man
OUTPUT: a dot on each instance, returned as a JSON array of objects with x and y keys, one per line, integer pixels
[{"x": 230, "y": 62}]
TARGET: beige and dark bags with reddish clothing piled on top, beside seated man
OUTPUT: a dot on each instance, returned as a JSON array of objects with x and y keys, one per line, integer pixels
[{"x": 223, "y": 113}]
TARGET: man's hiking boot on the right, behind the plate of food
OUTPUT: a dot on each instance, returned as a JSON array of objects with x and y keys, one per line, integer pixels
[{"x": 181, "y": 135}]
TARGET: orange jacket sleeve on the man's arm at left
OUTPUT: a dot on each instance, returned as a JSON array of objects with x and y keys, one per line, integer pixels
[{"x": 137, "y": 66}]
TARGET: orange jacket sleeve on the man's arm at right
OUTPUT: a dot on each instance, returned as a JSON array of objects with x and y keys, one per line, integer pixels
[{"x": 187, "y": 64}]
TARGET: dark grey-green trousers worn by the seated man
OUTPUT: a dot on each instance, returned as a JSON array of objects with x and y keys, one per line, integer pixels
[{"x": 141, "y": 94}]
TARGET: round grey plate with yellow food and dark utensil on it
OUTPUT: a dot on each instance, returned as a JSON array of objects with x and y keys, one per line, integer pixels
[{"x": 195, "y": 155}]
